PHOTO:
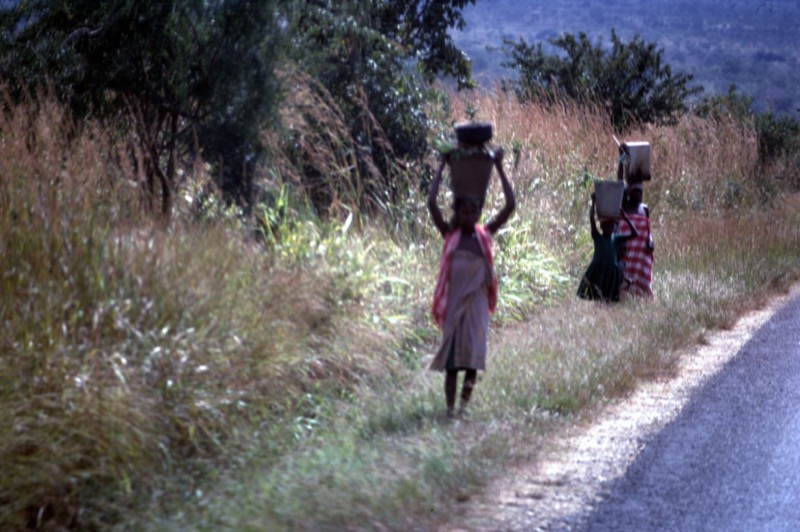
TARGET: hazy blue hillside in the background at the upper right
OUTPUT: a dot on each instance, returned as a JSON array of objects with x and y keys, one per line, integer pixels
[{"x": 751, "y": 43}]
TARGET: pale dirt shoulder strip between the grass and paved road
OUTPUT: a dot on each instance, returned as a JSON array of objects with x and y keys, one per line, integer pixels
[{"x": 558, "y": 489}]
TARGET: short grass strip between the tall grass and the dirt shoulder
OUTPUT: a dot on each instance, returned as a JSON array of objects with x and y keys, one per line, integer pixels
[{"x": 389, "y": 460}]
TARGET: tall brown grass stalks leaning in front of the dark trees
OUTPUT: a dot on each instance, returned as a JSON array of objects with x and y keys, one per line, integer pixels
[{"x": 318, "y": 152}]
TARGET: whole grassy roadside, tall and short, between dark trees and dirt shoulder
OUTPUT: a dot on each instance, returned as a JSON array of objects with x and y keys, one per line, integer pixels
[{"x": 196, "y": 378}]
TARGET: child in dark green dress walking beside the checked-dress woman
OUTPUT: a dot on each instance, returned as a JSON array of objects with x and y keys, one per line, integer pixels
[{"x": 603, "y": 277}]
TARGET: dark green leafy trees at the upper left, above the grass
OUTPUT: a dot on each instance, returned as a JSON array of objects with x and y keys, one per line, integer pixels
[{"x": 201, "y": 79}]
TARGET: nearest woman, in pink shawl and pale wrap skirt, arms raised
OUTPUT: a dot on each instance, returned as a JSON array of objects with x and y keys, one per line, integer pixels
[{"x": 466, "y": 287}]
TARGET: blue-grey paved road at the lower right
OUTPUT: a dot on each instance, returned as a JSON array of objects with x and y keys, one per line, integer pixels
[{"x": 731, "y": 460}]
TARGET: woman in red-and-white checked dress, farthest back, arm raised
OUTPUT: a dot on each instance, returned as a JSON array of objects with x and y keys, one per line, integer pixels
[{"x": 636, "y": 258}]
